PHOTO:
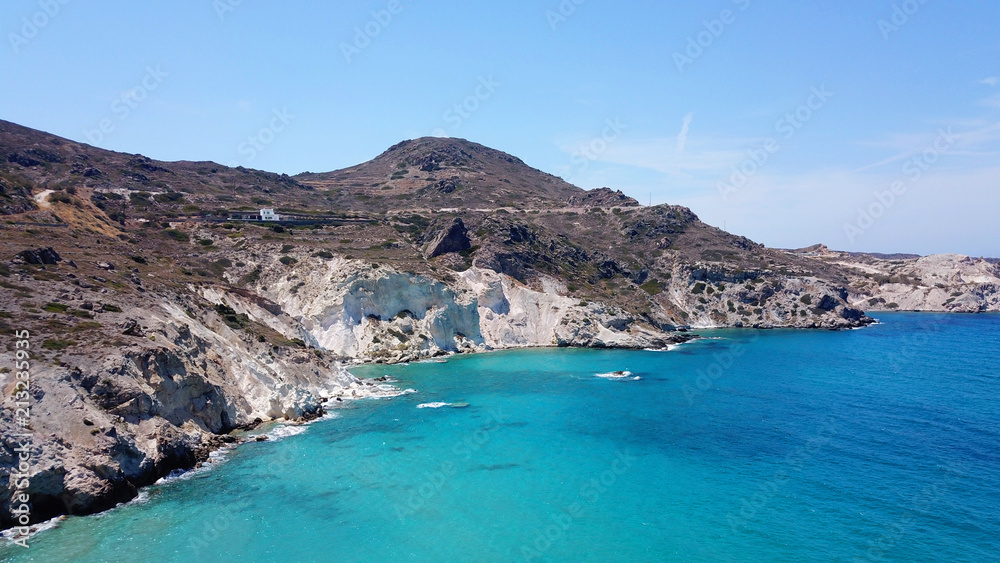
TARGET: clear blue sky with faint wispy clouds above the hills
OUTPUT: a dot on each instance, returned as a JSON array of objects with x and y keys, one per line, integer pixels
[{"x": 819, "y": 104}]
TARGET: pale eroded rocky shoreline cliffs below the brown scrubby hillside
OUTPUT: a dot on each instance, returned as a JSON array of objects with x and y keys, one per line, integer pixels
[{"x": 173, "y": 374}]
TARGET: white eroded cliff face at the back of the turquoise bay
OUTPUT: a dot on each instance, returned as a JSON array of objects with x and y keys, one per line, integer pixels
[{"x": 355, "y": 310}]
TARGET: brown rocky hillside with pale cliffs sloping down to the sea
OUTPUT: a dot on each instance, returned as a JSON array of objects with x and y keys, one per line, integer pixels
[{"x": 158, "y": 327}]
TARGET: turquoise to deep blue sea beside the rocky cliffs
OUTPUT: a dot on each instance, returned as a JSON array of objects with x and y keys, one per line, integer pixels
[{"x": 880, "y": 444}]
